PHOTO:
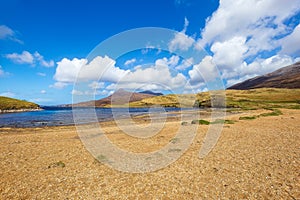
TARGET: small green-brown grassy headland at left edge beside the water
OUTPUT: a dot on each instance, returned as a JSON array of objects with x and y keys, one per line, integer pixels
[{"x": 7, "y": 103}]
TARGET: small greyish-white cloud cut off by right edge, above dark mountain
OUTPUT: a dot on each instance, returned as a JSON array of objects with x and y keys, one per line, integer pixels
[{"x": 290, "y": 44}]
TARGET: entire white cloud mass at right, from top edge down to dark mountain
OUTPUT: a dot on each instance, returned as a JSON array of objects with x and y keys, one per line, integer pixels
[{"x": 239, "y": 31}]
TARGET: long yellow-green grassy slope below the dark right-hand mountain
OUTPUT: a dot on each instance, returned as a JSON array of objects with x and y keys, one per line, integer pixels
[{"x": 263, "y": 98}]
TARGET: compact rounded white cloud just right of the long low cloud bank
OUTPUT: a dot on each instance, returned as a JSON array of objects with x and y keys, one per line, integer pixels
[{"x": 204, "y": 71}]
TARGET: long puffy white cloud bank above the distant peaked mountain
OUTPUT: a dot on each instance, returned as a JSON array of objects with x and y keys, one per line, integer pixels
[{"x": 104, "y": 69}]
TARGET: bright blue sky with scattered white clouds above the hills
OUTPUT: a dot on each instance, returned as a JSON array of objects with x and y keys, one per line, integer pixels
[{"x": 43, "y": 44}]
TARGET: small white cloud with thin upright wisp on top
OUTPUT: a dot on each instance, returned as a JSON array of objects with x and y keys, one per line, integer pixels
[{"x": 181, "y": 41}]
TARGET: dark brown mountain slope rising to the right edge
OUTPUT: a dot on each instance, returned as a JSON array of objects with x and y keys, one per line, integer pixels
[{"x": 286, "y": 77}]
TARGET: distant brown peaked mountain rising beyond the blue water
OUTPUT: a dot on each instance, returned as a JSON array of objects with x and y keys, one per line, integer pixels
[{"x": 120, "y": 97}]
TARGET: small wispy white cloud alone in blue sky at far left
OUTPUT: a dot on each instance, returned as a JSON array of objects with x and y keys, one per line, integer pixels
[{"x": 27, "y": 58}]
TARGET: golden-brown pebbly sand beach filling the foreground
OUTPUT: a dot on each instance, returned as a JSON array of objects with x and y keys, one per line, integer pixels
[{"x": 253, "y": 159}]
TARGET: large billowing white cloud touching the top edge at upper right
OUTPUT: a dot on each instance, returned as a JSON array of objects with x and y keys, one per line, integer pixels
[{"x": 257, "y": 20}]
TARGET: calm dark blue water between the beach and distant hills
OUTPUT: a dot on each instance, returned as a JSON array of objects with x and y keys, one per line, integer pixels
[{"x": 55, "y": 116}]
